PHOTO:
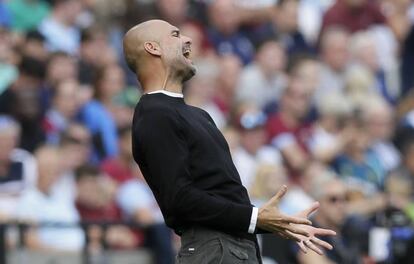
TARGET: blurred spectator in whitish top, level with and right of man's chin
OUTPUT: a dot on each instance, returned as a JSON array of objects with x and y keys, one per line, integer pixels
[{"x": 263, "y": 80}]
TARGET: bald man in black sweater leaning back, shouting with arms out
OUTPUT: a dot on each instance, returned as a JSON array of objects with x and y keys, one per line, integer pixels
[{"x": 187, "y": 163}]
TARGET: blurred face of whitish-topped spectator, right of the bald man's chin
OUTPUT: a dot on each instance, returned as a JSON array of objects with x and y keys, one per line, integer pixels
[{"x": 271, "y": 57}]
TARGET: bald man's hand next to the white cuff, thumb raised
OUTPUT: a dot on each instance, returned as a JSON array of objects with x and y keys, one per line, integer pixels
[{"x": 272, "y": 220}]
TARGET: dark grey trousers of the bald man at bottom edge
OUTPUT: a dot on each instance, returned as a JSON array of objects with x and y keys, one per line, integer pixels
[{"x": 206, "y": 246}]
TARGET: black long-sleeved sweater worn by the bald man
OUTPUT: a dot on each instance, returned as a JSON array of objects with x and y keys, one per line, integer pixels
[{"x": 187, "y": 163}]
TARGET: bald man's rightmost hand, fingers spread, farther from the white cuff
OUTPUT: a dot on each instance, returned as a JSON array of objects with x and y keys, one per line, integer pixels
[{"x": 311, "y": 241}]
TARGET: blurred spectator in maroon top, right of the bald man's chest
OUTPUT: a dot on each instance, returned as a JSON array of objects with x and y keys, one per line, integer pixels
[{"x": 288, "y": 131}]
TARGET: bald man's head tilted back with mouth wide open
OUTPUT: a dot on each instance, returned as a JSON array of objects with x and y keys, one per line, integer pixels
[{"x": 156, "y": 46}]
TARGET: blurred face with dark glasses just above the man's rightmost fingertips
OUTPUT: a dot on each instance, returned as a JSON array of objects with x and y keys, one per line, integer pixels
[{"x": 333, "y": 203}]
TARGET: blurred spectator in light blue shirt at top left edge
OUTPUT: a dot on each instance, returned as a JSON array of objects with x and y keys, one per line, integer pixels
[{"x": 59, "y": 27}]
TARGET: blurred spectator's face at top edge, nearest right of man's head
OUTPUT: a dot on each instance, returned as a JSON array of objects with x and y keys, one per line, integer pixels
[{"x": 223, "y": 16}]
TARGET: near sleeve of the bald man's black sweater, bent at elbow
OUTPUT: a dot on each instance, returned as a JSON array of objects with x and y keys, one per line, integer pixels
[{"x": 165, "y": 163}]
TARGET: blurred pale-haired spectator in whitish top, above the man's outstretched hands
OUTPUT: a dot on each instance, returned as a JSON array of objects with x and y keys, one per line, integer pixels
[{"x": 331, "y": 133}]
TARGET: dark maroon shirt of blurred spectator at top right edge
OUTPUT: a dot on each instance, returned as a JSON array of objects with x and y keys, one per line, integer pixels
[{"x": 353, "y": 19}]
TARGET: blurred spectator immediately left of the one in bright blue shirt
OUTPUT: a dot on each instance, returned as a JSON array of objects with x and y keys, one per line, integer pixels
[{"x": 64, "y": 108}]
